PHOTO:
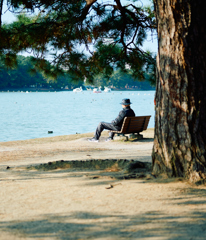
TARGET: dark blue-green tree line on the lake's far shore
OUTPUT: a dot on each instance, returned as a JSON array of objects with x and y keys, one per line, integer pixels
[{"x": 25, "y": 76}]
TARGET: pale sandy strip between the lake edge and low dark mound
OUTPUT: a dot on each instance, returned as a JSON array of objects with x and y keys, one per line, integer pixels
[{"x": 73, "y": 147}]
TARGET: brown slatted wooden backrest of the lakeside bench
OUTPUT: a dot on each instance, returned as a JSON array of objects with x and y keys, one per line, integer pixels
[{"x": 135, "y": 124}]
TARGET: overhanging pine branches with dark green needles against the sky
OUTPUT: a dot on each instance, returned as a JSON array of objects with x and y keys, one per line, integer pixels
[{"x": 83, "y": 38}]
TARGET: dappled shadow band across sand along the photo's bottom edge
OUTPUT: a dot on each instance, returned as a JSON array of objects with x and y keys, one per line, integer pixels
[{"x": 86, "y": 225}]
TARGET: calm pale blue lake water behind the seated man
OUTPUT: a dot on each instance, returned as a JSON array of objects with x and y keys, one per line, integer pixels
[{"x": 32, "y": 115}]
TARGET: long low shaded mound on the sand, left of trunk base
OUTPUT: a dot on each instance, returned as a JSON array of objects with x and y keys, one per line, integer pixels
[{"x": 121, "y": 169}]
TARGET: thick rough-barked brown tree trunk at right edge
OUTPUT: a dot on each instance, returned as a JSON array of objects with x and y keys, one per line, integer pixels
[{"x": 180, "y": 122}]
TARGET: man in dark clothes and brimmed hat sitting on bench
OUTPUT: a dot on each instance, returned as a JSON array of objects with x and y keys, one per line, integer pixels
[{"x": 116, "y": 124}]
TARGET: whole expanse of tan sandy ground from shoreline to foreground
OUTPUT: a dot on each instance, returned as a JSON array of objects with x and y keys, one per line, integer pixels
[{"x": 76, "y": 204}]
